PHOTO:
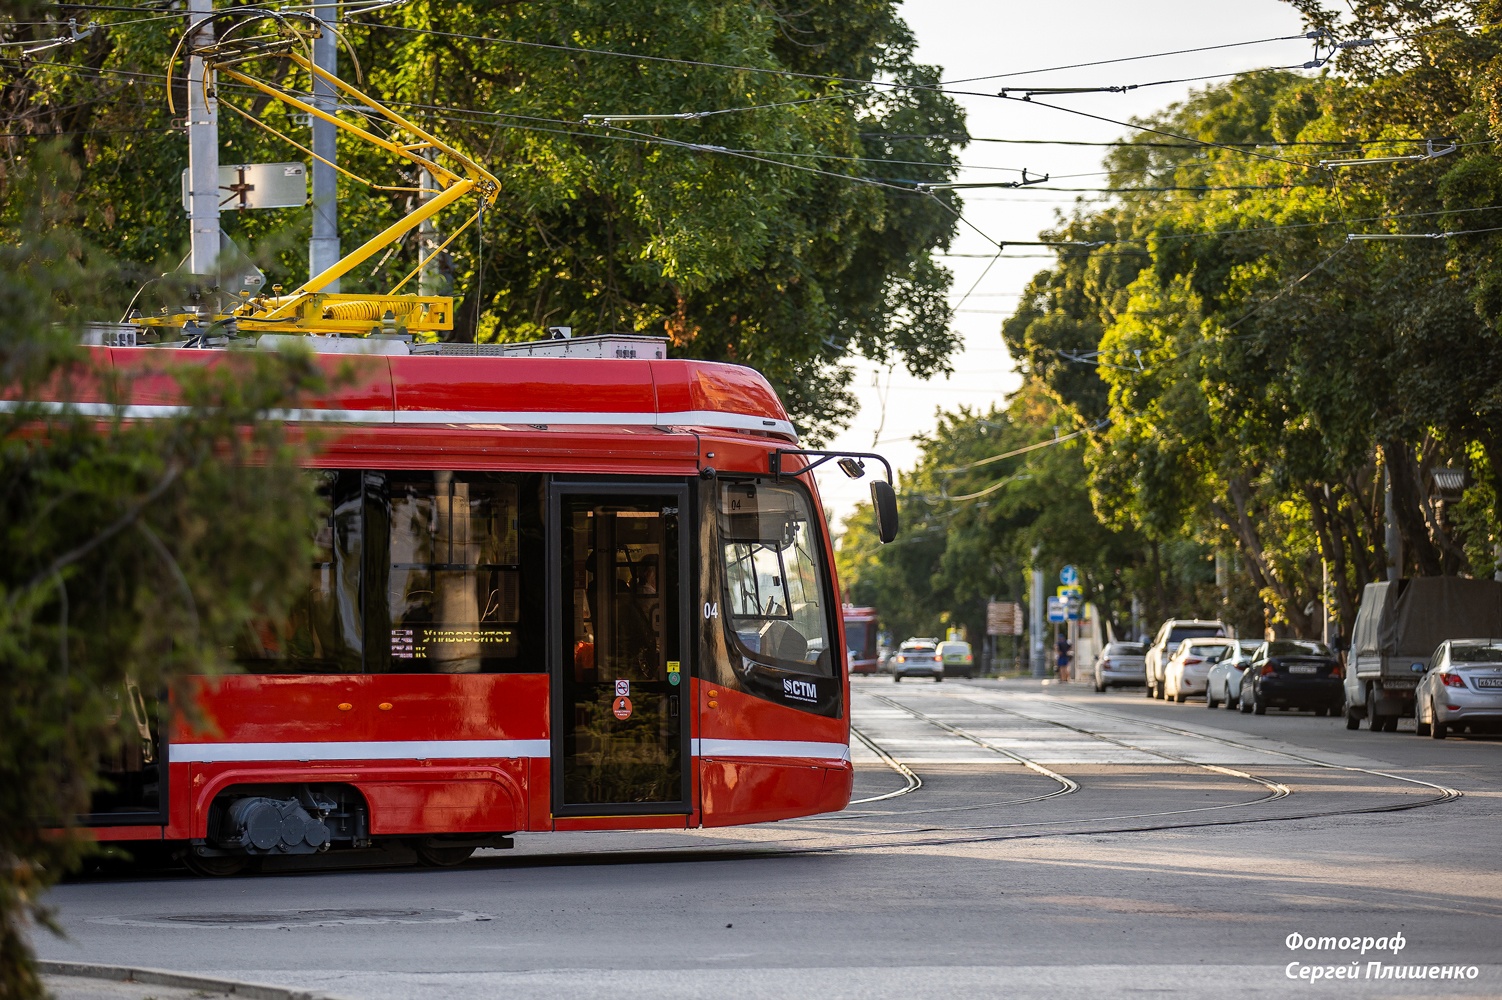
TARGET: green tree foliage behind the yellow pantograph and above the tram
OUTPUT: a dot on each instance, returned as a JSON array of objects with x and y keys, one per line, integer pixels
[{"x": 780, "y": 230}]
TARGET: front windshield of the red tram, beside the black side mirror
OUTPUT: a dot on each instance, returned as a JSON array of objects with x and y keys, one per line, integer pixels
[{"x": 776, "y": 589}]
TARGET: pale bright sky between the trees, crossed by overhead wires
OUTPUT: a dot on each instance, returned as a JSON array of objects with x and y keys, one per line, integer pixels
[{"x": 979, "y": 38}]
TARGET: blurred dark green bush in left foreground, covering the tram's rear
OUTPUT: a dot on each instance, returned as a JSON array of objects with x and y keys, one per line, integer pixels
[{"x": 136, "y": 552}]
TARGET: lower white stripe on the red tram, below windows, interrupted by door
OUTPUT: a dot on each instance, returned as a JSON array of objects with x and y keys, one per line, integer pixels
[{"x": 471, "y": 750}]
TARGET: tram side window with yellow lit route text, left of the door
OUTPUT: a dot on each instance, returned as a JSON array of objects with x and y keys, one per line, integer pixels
[{"x": 453, "y": 591}]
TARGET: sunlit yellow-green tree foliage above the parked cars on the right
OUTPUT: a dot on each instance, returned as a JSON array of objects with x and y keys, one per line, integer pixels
[{"x": 1250, "y": 381}]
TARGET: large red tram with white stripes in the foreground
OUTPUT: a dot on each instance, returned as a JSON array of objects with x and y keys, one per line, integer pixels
[{"x": 550, "y": 594}]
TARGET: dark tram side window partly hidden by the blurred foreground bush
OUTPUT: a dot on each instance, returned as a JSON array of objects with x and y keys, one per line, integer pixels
[{"x": 324, "y": 631}]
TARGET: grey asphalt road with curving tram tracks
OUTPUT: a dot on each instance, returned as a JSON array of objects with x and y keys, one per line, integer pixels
[{"x": 1061, "y": 843}]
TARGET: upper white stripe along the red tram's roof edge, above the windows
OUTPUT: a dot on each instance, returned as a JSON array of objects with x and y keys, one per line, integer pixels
[{"x": 566, "y": 418}]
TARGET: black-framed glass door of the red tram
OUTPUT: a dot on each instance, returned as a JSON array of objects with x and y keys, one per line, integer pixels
[{"x": 620, "y": 643}]
